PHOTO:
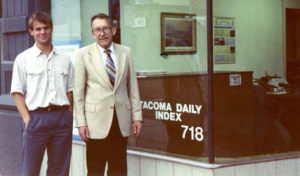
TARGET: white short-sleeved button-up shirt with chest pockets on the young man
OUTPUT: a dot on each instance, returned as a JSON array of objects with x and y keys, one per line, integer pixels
[{"x": 43, "y": 80}]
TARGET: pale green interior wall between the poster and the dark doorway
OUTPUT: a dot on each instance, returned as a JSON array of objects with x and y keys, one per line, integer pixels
[{"x": 259, "y": 36}]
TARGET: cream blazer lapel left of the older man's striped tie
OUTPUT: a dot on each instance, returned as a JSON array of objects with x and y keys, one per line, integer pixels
[{"x": 96, "y": 61}]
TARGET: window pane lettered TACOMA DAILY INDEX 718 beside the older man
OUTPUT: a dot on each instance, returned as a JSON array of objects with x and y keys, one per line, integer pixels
[{"x": 168, "y": 42}]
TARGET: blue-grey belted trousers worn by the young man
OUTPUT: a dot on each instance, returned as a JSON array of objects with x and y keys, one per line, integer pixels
[{"x": 51, "y": 131}]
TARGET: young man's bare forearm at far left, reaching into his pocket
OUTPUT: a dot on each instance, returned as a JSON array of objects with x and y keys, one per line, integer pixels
[{"x": 21, "y": 106}]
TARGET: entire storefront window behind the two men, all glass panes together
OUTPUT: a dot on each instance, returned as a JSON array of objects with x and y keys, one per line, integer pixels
[{"x": 255, "y": 103}]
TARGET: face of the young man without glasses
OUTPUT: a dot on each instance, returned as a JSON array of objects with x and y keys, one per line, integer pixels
[{"x": 42, "y": 33}]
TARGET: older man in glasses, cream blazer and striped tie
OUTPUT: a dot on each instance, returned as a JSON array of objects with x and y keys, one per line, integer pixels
[{"x": 106, "y": 99}]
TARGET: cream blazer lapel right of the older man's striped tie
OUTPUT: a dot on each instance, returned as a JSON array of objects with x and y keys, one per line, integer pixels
[{"x": 121, "y": 60}]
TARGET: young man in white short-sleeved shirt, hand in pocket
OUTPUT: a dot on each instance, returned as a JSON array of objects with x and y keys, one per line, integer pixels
[{"x": 42, "y": 85}]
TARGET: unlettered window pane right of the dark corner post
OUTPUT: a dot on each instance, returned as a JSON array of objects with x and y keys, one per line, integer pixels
[{"x": 256, "y": 105}]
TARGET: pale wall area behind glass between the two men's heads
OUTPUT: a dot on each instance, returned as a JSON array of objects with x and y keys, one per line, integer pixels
[{"x": 71, "y": 19}]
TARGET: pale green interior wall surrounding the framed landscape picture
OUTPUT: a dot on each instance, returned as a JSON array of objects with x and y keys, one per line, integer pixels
[{"x": 145, "y": 39}]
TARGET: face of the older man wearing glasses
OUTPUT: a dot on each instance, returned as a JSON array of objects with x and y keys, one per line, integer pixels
[{"x": 103, "y": 32}]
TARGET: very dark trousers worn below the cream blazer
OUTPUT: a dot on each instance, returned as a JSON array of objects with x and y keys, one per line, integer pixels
[{"x": 112, "y": 150}]
